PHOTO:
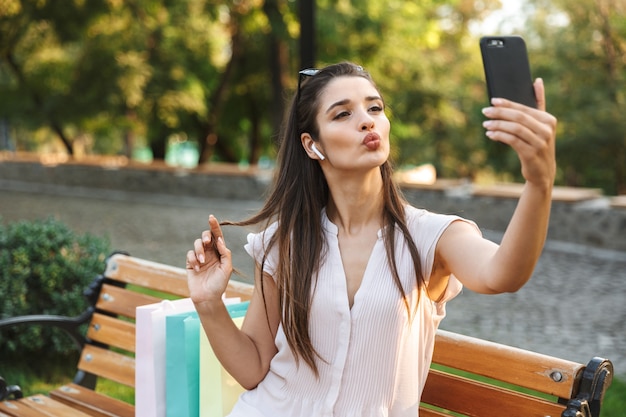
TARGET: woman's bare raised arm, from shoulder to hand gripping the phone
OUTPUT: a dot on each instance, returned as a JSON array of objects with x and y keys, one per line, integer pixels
[{"x": 483, "y": 266}]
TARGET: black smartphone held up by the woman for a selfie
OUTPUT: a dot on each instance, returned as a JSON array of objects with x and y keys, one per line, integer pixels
[{"x": 507, "y": 69}]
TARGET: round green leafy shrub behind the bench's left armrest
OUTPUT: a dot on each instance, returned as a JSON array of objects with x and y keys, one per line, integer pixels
[{"x": 44, "y": 269}]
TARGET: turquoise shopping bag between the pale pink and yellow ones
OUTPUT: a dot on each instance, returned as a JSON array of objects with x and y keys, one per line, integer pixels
[{"x": 182, "y": 332}]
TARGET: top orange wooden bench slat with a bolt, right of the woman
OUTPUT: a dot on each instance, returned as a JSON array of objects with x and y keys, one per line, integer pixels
[{"x": 520, "y": 367}]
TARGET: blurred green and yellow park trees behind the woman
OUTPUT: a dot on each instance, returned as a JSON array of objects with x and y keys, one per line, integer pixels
[{"x": 196, "y": 82}]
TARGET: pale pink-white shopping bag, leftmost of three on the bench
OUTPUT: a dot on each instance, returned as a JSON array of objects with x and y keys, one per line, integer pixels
[{"x": 150, "y": 355}]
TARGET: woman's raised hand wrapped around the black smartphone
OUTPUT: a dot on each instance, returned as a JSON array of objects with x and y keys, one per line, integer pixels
[{"x": 530, "y": 132}]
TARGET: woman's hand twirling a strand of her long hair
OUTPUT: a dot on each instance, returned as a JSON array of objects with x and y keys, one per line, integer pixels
[{"x": 209, "y": 266}]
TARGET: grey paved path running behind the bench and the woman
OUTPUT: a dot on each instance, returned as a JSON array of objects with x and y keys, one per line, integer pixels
[{"x": 574, "y": 306}]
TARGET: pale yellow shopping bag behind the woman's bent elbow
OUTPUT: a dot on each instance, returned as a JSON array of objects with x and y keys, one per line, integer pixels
[{"x": 218, "y": 390}]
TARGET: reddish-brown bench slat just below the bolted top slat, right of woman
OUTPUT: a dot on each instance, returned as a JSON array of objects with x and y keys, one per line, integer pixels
[{"x": 473, "y": 398}]
